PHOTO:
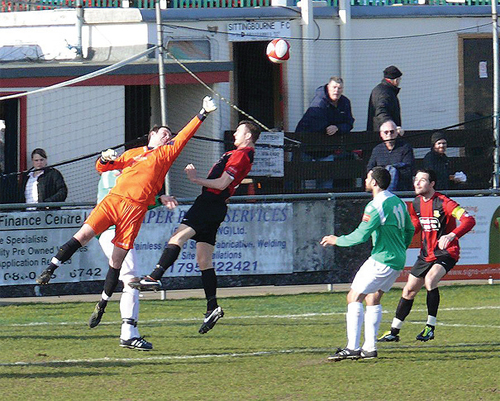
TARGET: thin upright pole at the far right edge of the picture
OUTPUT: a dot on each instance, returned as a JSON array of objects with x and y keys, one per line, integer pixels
[{"x": 496, "y": 135}]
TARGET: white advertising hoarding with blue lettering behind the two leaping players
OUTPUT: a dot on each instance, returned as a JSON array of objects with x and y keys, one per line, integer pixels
[{"x": 253, "y": 239}]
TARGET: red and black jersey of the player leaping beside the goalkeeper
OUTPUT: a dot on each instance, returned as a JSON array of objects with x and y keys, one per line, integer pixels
[{"x": 237, "y": 163}]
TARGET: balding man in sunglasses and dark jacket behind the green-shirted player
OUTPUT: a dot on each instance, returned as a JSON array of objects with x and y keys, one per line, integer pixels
[{"x": 396, "y": 156}]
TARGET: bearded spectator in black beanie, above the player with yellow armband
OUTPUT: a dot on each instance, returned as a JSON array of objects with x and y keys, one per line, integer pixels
[{"x": 437, "y": 160}]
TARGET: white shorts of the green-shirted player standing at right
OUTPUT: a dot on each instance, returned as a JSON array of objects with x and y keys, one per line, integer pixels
[{"x": 373, "y": 276}]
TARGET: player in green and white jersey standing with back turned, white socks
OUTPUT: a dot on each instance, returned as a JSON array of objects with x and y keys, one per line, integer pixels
[{"x": 387, "y": 221}]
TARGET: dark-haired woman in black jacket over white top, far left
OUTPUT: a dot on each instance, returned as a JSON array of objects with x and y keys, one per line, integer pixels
[{"x": 42, "y": 183}]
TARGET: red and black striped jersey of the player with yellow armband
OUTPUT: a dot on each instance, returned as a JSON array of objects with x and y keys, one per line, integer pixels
[{"x": 437, "y": 217}]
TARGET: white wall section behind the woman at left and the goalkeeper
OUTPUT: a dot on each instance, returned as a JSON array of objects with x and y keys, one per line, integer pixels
[{"x": 74, "y": 122}]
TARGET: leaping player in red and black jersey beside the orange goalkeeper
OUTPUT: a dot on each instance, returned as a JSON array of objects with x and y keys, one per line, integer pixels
[{"x": 203, "y": 219}]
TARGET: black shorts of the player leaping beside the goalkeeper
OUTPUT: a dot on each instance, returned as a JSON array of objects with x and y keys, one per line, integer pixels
[{"x": 205, "y": 217}]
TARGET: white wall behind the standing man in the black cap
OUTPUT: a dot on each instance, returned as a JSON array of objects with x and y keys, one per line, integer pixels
[{"x": 429, "y": 89}]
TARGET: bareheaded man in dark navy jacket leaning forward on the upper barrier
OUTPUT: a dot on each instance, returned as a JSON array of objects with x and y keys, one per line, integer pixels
[{"x": 329, "y": 113}]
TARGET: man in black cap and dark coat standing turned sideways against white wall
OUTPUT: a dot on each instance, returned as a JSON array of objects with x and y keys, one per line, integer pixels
[{"x": 384, "y": 102}]
